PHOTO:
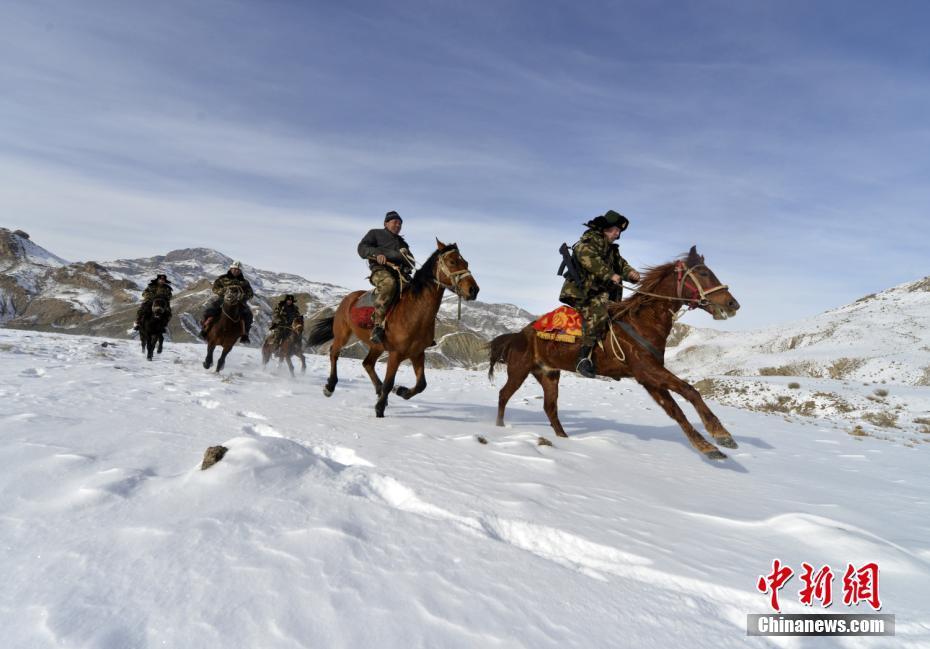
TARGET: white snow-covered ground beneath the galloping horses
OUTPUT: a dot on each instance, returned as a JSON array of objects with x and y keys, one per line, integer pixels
[{"x": 326, "y": 527}]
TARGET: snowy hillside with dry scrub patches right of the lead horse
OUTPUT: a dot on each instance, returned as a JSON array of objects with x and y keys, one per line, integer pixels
[{"x": 863, "y": 363}]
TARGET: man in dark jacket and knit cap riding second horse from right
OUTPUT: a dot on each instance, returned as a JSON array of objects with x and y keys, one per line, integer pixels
[{"x": 390, "y": 262}]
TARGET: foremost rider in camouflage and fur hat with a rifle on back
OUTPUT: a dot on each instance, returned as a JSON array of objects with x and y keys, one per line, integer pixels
[{"x": 601, "y": 268}]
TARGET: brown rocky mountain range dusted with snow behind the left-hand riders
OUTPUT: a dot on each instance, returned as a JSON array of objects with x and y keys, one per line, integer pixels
[{"x": 41, "y": 291}]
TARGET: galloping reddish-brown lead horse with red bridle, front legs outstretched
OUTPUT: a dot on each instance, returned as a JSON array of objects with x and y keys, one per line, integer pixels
[{"x": 635, "y": 346}]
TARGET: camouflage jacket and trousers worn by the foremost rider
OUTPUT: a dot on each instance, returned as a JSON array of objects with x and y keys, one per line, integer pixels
[{"x": 597, "y": 261}]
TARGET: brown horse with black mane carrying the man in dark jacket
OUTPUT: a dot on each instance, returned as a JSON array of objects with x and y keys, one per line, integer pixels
[{"x": 411, "y": 325}]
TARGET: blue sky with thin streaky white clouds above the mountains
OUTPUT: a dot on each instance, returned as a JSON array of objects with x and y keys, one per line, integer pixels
[{"x": 788, "y": 140}]
